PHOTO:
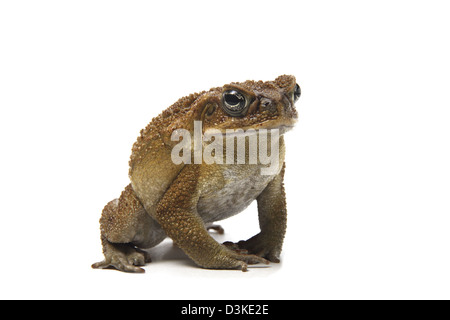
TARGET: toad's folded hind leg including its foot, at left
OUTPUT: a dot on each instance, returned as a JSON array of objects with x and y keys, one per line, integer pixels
[{"x": 124, "y": 226}]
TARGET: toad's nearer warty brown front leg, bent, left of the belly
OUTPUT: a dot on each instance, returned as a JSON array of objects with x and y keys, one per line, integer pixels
[{"x": 177, "y": 215}]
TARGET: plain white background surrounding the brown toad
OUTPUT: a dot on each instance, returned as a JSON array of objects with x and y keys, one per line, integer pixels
[{"x": 368, "y": 166}]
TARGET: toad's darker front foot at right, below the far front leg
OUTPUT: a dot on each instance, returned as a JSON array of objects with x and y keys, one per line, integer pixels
[{"x": 257, "y": 245}]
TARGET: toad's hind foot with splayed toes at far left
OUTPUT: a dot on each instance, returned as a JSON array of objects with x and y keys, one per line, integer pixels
[{"x": 123, "y": 257}]
